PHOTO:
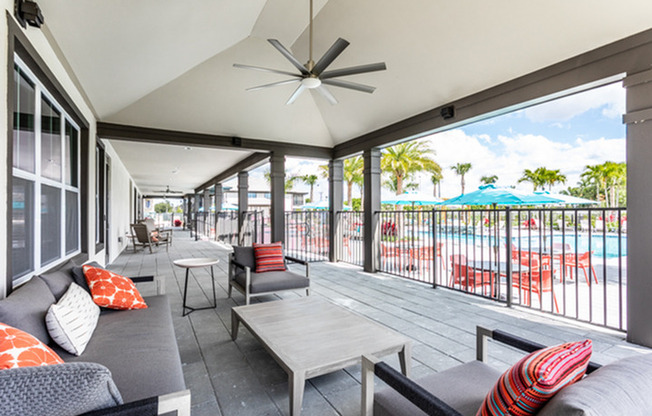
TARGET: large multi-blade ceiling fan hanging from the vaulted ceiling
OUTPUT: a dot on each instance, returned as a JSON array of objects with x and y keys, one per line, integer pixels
[{"x": 314, "y": 75}]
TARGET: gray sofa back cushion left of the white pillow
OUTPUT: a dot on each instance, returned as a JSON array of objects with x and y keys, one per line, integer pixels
[{"x": 26, "y": 308}]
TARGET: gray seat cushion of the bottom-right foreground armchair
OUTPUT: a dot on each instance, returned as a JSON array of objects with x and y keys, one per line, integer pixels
[{"x": 463, "y": 387}]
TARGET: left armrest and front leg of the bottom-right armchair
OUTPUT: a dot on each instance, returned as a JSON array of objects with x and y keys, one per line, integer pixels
[{"x": 420, "y": 397}]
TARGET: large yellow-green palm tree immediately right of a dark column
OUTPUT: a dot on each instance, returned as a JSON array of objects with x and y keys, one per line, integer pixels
[{"x": 404, "y": 159}]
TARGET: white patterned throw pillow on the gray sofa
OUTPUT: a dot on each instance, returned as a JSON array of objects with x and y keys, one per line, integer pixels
[{"x": 72, "y": 320}]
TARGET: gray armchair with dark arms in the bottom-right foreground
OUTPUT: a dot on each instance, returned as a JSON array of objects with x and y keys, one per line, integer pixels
[{"x": 620, "y": 388}]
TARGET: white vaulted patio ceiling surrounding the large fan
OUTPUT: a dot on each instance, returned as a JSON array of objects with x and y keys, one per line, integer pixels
[{"x": 168, "y": 64}]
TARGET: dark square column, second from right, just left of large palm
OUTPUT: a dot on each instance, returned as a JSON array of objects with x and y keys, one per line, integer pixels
[{"x": 372, "y": 172}]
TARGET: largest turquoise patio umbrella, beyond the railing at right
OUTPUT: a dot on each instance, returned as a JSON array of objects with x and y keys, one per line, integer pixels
[{"x": 492, "y": 195}]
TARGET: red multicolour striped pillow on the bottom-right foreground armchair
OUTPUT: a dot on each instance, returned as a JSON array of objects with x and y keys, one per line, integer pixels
[{"x": 530, "y": 383}]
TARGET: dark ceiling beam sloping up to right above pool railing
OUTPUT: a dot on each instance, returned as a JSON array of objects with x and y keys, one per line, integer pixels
[{"x": 588, "y": 70}]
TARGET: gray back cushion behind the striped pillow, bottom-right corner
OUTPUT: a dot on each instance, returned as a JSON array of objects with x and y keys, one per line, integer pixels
[{"x": 619, "y": 388}]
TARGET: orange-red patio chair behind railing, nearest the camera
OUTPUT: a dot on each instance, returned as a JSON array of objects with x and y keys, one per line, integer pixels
[{"x": 537, "y": 280}]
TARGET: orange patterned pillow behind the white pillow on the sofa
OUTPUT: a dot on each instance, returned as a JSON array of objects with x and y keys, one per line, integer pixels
[{"x": 110, "y": 290}]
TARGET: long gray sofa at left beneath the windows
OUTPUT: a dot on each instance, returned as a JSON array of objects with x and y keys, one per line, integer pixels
[{"x": 131, "y": 362}]
